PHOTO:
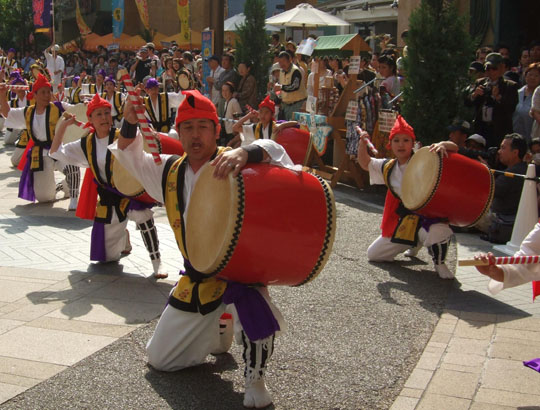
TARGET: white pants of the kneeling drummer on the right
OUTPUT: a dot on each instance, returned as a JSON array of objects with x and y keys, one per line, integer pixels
[{"x": 383, "y": 250}]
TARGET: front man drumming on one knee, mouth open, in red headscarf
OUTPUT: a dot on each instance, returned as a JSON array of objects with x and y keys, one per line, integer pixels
[{"x": 189, "y": 327}]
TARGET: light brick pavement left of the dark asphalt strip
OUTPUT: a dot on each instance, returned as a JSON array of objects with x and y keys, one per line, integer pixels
[{"x": 56, "y": 307}]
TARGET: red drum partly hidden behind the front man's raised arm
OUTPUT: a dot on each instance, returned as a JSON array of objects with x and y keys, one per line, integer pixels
[{"x": 129, "y": 185}]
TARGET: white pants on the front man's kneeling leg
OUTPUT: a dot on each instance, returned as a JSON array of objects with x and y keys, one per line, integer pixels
[{"x": 183, "y": 339}]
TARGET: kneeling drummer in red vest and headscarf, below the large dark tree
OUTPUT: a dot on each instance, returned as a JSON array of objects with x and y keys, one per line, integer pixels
[{"x": 403, "y": 231}]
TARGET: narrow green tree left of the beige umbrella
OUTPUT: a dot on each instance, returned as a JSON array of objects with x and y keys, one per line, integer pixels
[{"x": 252, "y": 44}]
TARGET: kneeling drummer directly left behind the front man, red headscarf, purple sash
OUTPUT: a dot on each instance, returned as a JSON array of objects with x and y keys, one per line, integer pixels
[{"x": 110, "y": 238}]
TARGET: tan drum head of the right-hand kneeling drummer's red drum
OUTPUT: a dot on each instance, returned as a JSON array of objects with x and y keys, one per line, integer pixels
[{"x": 420, "y": 179}]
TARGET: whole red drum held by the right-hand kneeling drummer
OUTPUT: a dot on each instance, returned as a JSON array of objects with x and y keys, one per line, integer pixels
[{"x": 456, "y": 188}]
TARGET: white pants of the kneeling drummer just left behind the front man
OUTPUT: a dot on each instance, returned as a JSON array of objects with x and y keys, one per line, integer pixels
[{"x": 115, "y": 232}]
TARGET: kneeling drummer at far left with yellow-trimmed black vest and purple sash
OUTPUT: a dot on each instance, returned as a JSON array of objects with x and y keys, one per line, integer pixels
[{"x": 37, "y": 181}]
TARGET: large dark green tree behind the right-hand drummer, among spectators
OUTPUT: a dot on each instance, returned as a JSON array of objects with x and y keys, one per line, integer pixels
[{"x": 439, "y": 51}]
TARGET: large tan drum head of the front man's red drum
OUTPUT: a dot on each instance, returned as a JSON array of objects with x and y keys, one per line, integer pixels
[{"x": 211, "y": 220}]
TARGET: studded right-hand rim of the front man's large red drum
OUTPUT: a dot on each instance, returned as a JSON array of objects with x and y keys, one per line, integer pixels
[{"x": 328, "y": 241}]
